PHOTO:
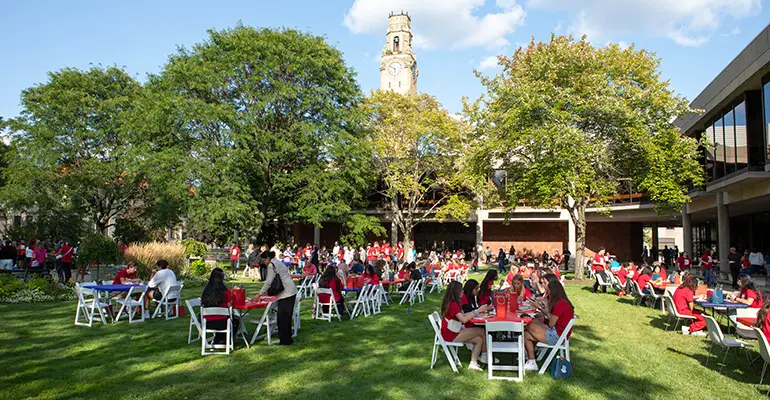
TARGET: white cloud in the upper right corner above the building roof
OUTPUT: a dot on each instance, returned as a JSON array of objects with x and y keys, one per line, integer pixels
[{"x": 686, "y": 22}]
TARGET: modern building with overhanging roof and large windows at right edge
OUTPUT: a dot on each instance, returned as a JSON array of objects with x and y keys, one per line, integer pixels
[{"x": 733, "y": 208}]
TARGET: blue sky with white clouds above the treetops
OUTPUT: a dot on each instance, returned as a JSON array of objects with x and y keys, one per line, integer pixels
[{"x": 695, "y": 38}]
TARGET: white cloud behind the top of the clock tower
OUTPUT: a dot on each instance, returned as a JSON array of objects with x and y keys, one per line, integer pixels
[{"x": 441, "y": 23}]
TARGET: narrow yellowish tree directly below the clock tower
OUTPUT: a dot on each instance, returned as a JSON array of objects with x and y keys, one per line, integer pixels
[{"x": 418, "y": 151}]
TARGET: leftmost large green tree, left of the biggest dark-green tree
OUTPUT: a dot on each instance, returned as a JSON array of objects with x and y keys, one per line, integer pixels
[{"x": 73, "y": 152}]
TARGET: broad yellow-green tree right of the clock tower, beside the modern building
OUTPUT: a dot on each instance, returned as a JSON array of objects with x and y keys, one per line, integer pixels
[{"x": 571, "y": 123}]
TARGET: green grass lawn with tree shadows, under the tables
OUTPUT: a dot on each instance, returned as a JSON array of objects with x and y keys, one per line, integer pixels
[{"x": 618, "y": 351}]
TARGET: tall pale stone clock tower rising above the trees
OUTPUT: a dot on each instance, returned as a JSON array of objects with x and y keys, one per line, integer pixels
[{"x": 398, "y": 69}]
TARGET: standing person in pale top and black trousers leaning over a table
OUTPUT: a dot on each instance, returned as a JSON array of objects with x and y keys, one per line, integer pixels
[{"x": 286, "y": 298}]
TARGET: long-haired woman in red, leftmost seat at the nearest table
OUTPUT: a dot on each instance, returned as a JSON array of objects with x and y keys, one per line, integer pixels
[{"x": 453, "y": 328}]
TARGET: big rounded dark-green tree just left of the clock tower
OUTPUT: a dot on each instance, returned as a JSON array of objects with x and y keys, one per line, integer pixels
[{"x": 268, "y": 126}]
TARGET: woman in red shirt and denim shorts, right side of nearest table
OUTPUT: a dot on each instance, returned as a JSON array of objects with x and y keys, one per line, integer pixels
[{"x": 558, "y": 317}]
